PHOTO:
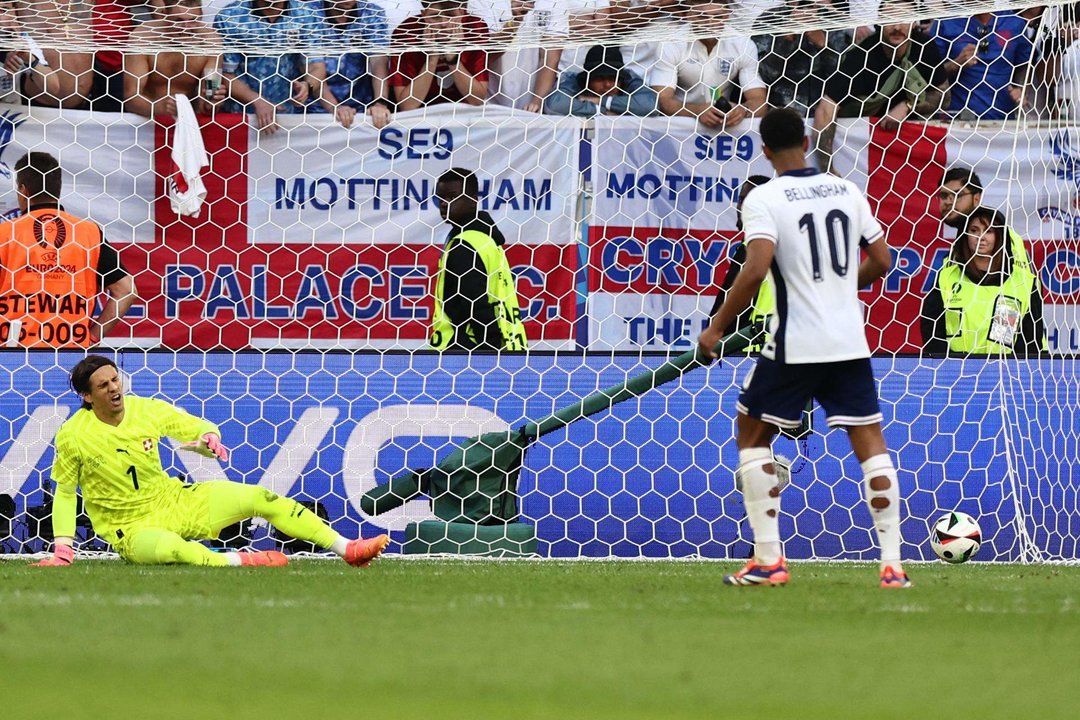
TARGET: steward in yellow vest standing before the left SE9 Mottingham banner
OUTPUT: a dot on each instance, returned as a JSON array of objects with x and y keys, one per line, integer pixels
[{"x": 476, "y": 306}]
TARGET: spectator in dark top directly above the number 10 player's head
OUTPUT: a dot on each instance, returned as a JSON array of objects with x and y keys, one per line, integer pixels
[{"x": 795, "y": 66}]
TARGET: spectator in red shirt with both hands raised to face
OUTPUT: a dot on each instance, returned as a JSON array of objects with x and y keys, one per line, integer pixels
[{"x": 457, "y": 73}]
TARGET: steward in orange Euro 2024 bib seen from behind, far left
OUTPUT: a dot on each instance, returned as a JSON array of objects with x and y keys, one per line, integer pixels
[{"x": 53, "y": 266}]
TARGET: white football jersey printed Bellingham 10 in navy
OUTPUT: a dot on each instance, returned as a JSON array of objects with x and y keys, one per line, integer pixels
[{"x": 818, "y": 223}]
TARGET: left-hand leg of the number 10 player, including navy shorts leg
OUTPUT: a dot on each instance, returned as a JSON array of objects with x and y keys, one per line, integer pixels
[{"x": 773, "y": 397}]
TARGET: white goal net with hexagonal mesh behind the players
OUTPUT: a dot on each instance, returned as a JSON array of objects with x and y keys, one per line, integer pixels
[{"x": 267, "y": 172}]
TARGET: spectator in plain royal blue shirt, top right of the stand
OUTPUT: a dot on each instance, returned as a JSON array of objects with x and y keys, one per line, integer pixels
[{"x": 988, "y": 58}]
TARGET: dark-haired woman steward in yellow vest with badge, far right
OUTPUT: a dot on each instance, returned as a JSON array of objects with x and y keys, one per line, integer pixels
[{"x": 985, "y": 301}]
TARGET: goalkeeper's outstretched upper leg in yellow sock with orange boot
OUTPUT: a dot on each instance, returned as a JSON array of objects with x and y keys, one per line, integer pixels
[{"x": 232, "y": 502}]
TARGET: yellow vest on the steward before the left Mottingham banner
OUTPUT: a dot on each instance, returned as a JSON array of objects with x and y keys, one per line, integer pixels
[{"x": 502, "y": 293}]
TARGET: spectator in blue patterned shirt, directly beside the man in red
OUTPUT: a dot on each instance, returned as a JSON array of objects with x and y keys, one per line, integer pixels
[{"x": 355, "y": 81}]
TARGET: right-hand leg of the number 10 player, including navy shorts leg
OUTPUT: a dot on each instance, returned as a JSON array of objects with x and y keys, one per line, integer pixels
[{"x": 852, "y": 402}]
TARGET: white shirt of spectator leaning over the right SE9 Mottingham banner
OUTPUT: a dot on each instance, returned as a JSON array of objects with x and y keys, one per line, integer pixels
[{"x": 697, "y": 74}]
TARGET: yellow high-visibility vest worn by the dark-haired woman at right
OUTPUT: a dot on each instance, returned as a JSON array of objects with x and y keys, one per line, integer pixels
[{"x": 970, "y": 308}]
